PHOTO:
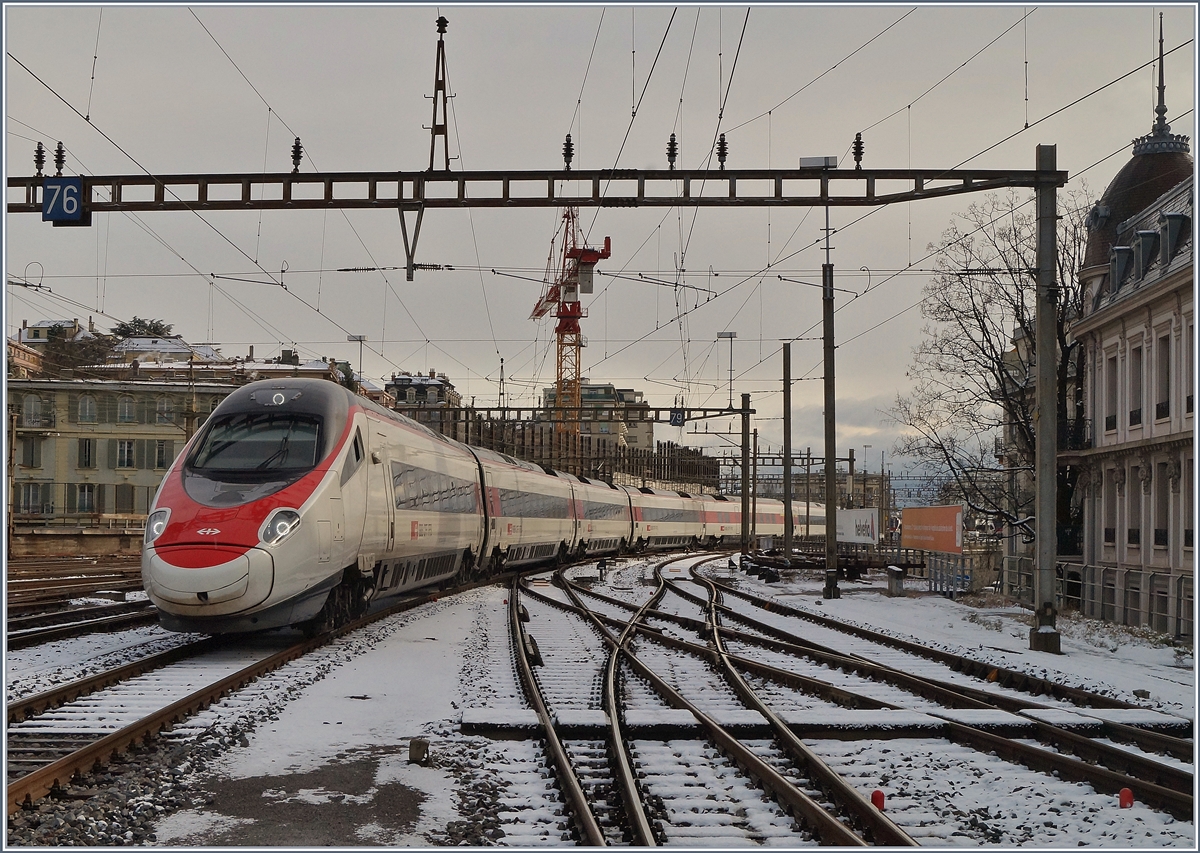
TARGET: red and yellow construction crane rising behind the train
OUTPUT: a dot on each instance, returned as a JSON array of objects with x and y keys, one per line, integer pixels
[{"x": 565, "y": 284}]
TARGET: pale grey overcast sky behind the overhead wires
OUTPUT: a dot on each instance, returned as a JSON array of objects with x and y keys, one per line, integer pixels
[{"x": 221, "y": 89}]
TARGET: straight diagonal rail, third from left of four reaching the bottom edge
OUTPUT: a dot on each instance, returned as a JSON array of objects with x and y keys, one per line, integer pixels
[{"x": 827, "y": 827}]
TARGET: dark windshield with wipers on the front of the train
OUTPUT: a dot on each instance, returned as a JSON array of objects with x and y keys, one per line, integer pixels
[{"x": 260, "y": 444}]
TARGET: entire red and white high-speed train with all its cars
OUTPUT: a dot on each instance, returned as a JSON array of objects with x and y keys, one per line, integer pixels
[{"x": 299, "y": 503}]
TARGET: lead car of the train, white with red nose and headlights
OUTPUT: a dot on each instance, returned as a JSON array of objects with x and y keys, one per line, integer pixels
[{"x": 299, "y": 502}]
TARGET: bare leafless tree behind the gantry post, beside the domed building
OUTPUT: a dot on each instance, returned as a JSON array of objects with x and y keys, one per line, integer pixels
[{"x": 974, "y": 397}]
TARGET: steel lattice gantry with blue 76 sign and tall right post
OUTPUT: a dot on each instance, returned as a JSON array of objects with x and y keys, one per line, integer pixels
[{"x": 818, "y": 187}]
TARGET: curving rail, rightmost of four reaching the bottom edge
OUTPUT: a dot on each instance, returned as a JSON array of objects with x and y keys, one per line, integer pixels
[{"x": 875, "y": 825}]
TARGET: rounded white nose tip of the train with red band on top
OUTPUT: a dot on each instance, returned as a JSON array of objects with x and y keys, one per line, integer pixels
[{"x": 211, "y": 581}]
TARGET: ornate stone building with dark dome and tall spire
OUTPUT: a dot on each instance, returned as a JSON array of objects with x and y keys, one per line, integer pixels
[{"x": 1139, "y": 335}]
